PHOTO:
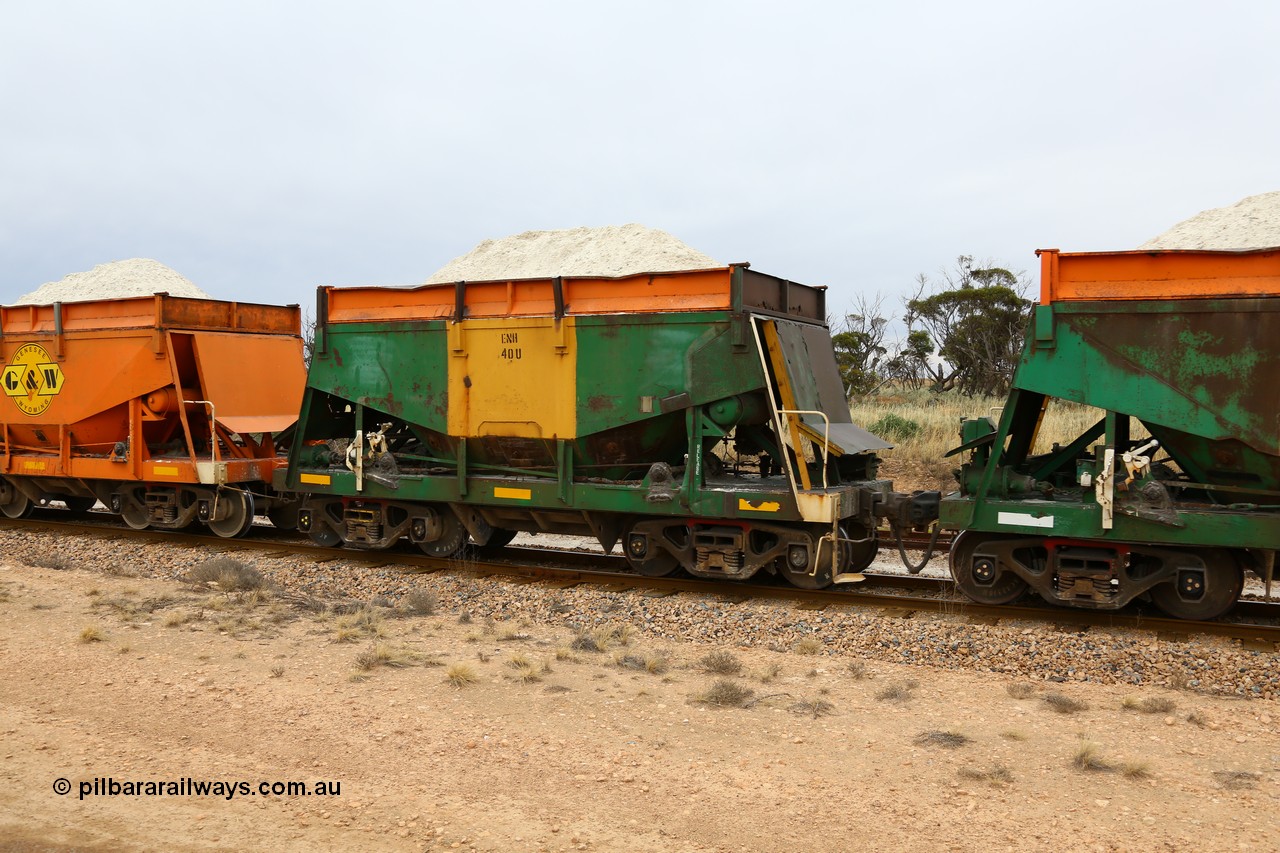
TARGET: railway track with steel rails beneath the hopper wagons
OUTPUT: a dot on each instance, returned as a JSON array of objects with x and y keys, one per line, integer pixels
[{"x": 1254, "y": 623}]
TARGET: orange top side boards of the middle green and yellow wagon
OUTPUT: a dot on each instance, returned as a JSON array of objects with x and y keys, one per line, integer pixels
[{"x": 650, "y": 293}]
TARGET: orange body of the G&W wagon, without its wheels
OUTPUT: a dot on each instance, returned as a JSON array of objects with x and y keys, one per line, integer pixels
[{"x": 120, "y": 366}]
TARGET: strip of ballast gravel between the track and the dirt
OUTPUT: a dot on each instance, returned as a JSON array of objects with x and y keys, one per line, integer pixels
[{"x": 1021, "y": 650}]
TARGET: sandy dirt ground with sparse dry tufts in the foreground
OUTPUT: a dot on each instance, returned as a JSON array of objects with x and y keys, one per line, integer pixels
[{"x": 136, "y": 681}]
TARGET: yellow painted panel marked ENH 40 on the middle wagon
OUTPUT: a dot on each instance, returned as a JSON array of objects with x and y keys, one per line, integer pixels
[{"x": 514, "y": 377}]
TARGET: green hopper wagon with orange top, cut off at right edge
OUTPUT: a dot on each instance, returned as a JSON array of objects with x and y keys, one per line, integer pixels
[{"x": 1173, "y": 495}]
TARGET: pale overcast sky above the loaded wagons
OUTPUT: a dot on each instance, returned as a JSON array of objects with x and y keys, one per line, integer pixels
[{"x": 262, "y": 149}]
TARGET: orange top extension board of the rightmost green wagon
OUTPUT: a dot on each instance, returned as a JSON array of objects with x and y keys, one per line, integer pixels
[{"x": 1158, "y": 275}]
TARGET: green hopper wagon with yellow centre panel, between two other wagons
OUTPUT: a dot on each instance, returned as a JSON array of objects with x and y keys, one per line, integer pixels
[{"x": 694, "y": 419}]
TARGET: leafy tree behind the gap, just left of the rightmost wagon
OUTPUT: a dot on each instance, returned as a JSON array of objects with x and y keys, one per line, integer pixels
[{"x": 976, "y": 318}]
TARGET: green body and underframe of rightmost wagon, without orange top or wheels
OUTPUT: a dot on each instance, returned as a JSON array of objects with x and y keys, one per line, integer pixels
[{"x": 1199, "y": 375}]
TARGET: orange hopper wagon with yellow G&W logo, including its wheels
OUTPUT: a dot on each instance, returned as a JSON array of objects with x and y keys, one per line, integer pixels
[{"x": 167, "y": 410}]
